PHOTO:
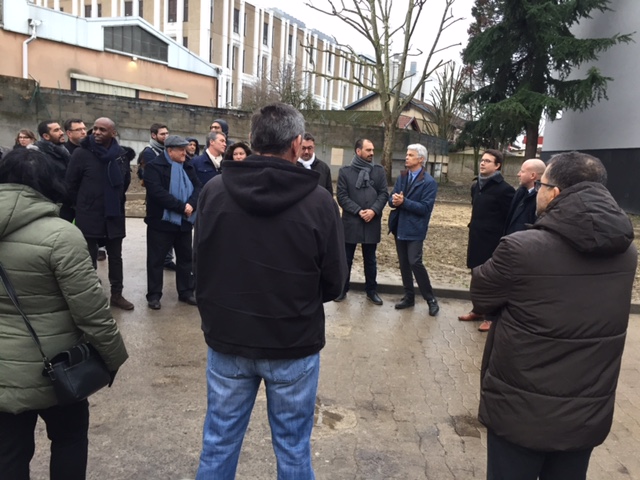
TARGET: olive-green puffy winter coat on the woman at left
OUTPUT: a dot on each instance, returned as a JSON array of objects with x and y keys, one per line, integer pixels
[{"x": 47, "y": 261}]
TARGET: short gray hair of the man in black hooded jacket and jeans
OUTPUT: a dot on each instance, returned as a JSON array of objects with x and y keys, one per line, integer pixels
[{"x": 274, "y": 127}]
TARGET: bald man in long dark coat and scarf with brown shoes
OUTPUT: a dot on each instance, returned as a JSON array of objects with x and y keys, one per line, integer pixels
[{"x": 97, "y": 178}]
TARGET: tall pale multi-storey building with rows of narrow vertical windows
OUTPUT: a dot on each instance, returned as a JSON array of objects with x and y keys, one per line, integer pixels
[{"x": 245, "y": 43}]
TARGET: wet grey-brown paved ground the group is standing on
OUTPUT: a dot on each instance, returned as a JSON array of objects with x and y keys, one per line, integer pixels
[{"x": 398, "y": 395}]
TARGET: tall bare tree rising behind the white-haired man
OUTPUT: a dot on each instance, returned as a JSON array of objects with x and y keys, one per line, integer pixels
[{"x": 392, "y": 45}]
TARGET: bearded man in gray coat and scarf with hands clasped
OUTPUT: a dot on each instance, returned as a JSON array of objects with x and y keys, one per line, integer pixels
[{"x": 362, "y": 193}]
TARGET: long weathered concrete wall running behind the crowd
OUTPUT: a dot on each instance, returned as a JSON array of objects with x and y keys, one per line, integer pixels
[{"x": 23, "y": 105}]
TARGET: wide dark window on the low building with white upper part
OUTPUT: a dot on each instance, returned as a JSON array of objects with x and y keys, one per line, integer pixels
[{"x": 136, "y": 41}]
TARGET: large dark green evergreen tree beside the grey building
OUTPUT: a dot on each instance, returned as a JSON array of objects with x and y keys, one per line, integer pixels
[{"x": 524, "y": 51}]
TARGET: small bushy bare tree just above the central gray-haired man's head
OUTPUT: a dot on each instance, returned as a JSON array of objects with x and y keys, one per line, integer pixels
[{"x": 281, "y": 85}]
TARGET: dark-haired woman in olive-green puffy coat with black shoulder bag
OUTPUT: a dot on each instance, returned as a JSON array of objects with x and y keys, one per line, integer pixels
[{"x": 48, "y": 264}]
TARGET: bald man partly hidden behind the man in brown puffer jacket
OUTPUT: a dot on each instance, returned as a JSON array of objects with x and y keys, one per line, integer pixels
[{"x": 523, "y": 205}]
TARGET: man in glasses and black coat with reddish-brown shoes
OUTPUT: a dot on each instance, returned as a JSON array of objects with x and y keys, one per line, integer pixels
[{"x": 491, "y": 198}]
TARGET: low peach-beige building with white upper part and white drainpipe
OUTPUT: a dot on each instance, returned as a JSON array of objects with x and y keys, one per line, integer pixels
[{"x": 115, "y": 56}]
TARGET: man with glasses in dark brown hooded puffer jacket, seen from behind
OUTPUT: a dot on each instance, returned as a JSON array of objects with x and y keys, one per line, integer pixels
[{"x": 552, "y": 359}]
